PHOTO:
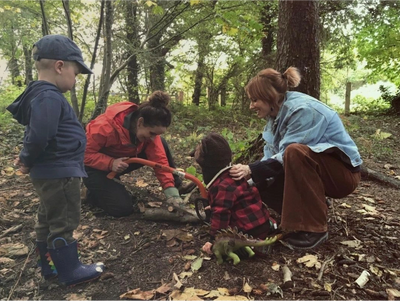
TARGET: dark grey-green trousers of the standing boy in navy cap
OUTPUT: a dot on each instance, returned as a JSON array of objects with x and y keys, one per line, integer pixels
[{"x": 59, "y": 210}]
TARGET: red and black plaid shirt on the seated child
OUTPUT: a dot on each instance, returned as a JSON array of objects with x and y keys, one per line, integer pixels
[{"x": 235, "y": 204}]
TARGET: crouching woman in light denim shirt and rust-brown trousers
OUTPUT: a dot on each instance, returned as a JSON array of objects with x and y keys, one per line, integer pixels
[{"x": 308, "y": 155}]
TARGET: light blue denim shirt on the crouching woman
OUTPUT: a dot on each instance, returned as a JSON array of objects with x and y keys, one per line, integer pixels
[{"x": 305, "y": 120}]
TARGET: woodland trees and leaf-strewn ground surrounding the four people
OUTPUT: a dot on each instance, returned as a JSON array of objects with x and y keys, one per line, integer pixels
[{"x": 203, "y": 53}]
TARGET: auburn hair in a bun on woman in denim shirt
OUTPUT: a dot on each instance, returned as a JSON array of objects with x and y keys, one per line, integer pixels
[{"x": 270, "y": 85}]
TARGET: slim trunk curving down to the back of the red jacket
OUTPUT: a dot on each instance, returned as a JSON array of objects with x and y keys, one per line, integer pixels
[{"x": 106, "y": 74}]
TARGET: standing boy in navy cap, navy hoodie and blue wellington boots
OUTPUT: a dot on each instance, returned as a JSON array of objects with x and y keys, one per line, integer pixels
[{"x": 53, "y": 151}]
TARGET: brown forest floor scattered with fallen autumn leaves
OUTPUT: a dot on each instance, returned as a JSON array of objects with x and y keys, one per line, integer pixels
[{"x": 161, "y": 260}]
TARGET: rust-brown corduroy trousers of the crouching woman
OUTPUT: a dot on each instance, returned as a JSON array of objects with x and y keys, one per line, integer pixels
[{"x": 308, "y": 178}]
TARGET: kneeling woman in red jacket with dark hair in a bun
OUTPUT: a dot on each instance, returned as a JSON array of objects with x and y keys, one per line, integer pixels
[{"x": 127, "y": 130}]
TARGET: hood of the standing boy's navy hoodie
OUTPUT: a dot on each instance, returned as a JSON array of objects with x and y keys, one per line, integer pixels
[{"x": 21, "y": 107}]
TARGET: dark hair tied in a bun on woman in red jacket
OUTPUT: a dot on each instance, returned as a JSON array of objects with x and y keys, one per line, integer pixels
[{"x": 155, "y": 111}]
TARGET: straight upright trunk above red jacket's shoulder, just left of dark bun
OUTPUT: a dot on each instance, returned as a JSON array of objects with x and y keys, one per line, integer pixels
[{"x": 132, "y": 29}]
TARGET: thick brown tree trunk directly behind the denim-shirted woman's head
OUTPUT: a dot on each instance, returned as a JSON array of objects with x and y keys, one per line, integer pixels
[{"x": 298, "y": 42}]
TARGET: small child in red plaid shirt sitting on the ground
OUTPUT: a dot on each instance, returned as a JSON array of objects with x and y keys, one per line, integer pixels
[{"x": 233, "y": 203}]
